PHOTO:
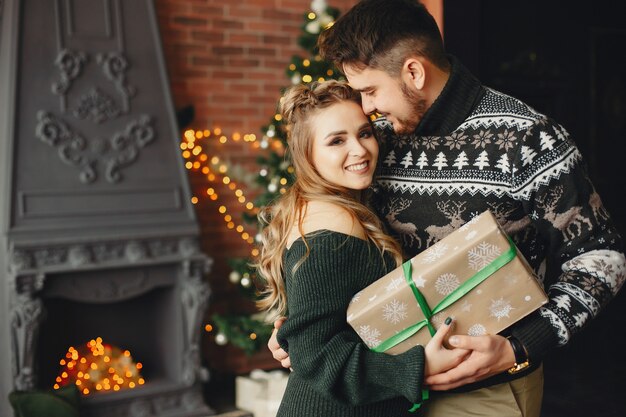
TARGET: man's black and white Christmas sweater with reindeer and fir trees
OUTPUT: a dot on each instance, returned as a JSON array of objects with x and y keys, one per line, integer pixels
[{"x": 477, "y": 149}]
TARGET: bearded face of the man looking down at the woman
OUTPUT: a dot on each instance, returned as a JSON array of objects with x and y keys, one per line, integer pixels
[{"x": 400, "y": 102}]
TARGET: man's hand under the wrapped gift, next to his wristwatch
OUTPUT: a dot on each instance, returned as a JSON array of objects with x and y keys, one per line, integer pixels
[{"x": 490, "y": 355}]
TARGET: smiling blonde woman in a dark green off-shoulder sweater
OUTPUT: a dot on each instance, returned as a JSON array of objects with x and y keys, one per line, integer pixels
[{"x": 321, "y": 246}]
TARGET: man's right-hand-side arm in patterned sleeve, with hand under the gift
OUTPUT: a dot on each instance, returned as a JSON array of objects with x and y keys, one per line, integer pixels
[{"x": 558, "y": 196}]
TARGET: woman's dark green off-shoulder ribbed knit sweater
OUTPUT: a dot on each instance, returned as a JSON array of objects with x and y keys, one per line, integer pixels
[{"x": 334, "y": 373}]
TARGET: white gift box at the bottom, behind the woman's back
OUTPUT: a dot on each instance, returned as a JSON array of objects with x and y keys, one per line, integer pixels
[{"x": 261, "y": 392}]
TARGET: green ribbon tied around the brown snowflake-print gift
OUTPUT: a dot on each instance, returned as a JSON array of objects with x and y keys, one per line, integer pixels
[{"x": 448, "y": 300}]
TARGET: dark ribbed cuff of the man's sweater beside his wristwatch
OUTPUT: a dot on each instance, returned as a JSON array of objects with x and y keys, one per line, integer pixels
[{"x": 537, "y": 335}]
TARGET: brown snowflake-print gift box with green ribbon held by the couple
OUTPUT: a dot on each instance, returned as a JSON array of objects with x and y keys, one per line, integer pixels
[{"x": 474, "y": 275}]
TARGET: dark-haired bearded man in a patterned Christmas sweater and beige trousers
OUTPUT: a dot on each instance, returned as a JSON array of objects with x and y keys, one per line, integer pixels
[{"x": 454, "y": 148}]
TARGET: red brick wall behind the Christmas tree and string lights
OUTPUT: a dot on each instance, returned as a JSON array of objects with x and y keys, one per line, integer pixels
[{"x": 228, "y": 58}]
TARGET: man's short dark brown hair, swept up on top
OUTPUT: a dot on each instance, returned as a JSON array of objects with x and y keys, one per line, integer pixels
[{"x": 382, "y": 34}]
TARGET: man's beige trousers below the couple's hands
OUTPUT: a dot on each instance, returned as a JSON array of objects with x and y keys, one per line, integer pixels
[{"x": 519, "y": 398}]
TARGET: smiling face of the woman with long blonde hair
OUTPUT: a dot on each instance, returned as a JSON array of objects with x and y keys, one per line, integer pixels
[{"x": 344, "y": 150}]
